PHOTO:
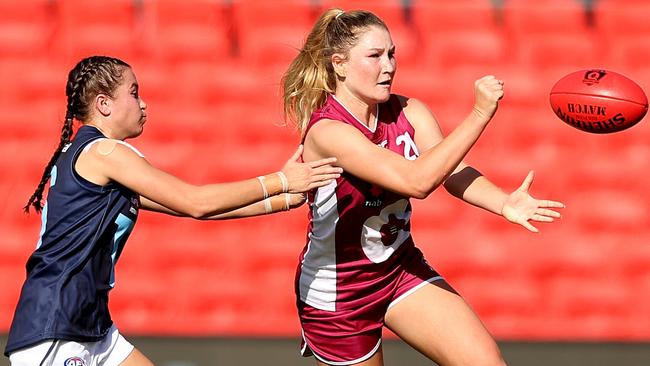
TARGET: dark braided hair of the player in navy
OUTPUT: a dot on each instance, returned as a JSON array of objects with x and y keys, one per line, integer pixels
[{"x": 90, "y": 77}]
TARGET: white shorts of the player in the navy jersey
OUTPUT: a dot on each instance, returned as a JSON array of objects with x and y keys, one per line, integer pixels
[{"x": 112, "y": 350}]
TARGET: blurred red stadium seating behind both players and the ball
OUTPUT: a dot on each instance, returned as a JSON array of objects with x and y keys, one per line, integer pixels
[{"x": 221, "y": 293}]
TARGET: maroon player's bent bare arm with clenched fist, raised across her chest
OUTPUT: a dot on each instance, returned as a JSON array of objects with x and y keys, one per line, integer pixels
[{"x": 413, "y": 178}]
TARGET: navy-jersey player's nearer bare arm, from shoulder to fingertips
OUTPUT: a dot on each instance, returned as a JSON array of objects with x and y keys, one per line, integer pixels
[{"x": 107, "y": 161}]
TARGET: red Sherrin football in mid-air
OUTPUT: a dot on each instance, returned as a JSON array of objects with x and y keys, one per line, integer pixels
[{"x": 598, "y": 101}]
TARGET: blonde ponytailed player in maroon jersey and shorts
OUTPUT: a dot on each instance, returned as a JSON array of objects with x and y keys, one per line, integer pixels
[{"x": 360, "y": 269}]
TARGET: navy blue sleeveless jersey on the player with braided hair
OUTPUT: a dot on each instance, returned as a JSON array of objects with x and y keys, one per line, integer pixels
[{"x": 69, "y": 275}]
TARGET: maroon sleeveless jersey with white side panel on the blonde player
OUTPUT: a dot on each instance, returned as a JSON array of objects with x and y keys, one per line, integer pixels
[{"x": 358, "y": 232}]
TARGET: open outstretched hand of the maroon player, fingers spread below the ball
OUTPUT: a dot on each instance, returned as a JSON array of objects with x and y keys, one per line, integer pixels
[{"x": 521, "y": 208}]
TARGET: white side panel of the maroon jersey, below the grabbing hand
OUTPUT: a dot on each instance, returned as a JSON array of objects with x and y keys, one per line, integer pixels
[{"x": 318, "y": 281}]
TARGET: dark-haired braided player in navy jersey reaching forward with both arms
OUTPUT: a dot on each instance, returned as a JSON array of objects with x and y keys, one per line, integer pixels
[{"x": 98, "y": 183}]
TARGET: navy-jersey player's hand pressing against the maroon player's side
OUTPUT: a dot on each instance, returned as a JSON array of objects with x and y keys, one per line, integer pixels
[{"x": 303, "y": 177}]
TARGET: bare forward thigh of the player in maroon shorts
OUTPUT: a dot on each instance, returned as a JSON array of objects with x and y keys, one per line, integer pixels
[{"x": 437, "y": 322}]
